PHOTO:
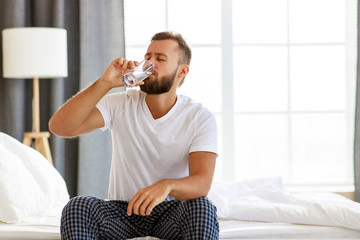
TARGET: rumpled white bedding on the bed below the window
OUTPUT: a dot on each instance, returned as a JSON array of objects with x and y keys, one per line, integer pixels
[{"x": 267, "y": 201}]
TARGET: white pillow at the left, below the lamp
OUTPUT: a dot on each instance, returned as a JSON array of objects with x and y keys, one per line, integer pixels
[{"x": 29, "y": 185}]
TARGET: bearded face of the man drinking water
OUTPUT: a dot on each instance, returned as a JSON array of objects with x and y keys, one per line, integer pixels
[{"x": 164, "y": 55}]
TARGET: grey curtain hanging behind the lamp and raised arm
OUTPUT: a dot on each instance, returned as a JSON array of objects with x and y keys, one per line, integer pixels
[{"x": 95, "y": 37}]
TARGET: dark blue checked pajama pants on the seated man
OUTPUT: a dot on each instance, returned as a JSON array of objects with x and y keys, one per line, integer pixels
[{"x": 92, "y": 218}]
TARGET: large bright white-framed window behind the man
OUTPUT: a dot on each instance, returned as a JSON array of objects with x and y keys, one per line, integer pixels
[{"x": 279, "y": 75}]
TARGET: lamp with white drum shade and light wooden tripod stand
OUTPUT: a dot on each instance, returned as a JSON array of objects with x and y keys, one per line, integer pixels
[{"x": 35, "y": 52}]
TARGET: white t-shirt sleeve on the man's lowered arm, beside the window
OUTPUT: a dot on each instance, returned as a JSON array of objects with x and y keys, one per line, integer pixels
[{"x": 205, "y": 138}]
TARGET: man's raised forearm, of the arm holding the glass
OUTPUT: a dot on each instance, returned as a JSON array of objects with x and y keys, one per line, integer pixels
[{"x": 75, "y": 111}]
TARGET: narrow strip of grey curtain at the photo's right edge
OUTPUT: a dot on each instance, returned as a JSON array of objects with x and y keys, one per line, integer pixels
[{"x": 357, "y": 121}]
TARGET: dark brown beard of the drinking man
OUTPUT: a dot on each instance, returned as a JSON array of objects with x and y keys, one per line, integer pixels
[{"x": 160, "y": 85}]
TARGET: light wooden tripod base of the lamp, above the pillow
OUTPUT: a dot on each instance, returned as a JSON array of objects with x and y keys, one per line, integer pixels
[{"x": 41, "y": 143}]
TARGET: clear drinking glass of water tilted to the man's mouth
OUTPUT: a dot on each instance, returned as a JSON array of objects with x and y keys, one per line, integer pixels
[{"x": 138, "y": 74}]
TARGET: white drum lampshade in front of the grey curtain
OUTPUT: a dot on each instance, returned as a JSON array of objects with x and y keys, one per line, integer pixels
[{"x": 34, "y": 52}]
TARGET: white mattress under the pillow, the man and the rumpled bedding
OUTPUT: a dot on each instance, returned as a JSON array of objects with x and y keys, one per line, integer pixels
[{"x": 48, "y": 228}]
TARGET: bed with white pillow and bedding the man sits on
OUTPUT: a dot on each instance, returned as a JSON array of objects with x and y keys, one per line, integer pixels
[{"x": 33, "y": 193}]
